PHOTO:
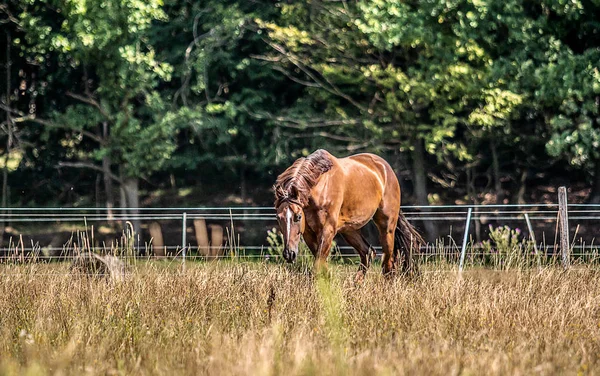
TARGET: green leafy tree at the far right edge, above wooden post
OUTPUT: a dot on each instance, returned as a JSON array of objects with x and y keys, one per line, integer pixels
[{"x": 548, "y": 54}]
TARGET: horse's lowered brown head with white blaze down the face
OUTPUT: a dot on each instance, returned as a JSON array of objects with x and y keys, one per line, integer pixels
[{"x": 291, "y": 221}]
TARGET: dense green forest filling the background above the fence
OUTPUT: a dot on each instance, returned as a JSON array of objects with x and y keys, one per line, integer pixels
[{"x": 129, "y": 103}]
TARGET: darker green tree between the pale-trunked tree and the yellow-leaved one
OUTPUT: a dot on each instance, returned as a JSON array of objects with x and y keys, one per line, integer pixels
[{"x": 223, "y": 99}]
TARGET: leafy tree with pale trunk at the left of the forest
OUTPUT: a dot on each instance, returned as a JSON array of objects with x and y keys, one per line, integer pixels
[{"x": 110, "y": 103}]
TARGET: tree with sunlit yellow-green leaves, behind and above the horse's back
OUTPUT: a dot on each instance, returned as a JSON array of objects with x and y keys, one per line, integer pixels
[{"x": 403, "y": 76}]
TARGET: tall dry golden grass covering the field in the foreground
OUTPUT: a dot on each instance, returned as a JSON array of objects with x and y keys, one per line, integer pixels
[{"x": 234, "y": 318}]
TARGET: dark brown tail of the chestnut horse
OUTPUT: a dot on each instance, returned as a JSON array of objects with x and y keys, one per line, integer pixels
[{"x": 407, "y": 242}]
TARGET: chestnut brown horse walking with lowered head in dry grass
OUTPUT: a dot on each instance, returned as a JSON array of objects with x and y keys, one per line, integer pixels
[{"x": 320, "y": 196}]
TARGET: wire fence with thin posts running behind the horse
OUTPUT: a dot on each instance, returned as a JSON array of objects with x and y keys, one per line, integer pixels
[{"x": 30, "y": 229}]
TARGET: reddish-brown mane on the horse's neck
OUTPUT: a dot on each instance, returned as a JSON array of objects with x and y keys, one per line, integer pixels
[{"x": 296, "y": 182}]
